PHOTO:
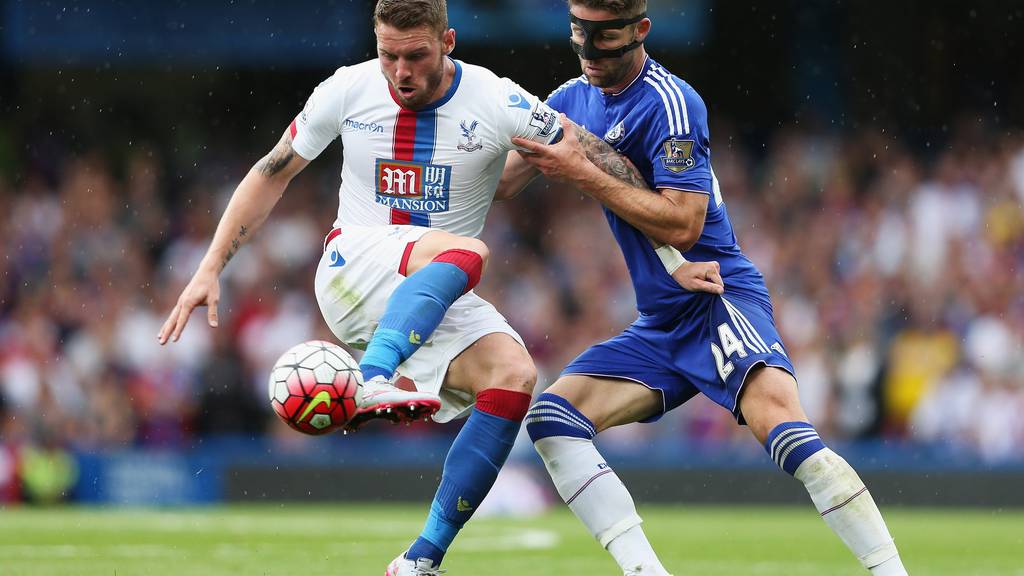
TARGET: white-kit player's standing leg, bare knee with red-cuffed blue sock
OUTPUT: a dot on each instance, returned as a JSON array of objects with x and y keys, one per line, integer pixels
[{"x": 499, "y": 372}]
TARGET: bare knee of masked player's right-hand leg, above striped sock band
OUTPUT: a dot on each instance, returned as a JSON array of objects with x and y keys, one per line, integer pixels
[{"x": 769, "y": 399}]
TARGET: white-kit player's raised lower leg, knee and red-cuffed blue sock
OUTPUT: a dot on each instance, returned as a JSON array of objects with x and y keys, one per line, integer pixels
[{"x": 441, "y": 267}]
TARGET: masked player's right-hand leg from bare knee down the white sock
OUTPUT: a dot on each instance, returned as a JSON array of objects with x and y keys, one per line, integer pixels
[{"x": 772, "y": 407}]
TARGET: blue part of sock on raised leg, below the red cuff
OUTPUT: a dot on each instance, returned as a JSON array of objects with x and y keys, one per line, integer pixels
[{"x": 413, "y": 313}]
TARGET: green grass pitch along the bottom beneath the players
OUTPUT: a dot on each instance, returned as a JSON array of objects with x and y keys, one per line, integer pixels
[{"x": 356, "y": 541}]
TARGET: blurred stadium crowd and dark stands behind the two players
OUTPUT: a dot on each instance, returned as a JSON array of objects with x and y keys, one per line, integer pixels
[{"x": 872, "y": 160}]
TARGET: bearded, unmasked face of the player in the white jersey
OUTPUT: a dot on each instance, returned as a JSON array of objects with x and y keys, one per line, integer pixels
[{"x": 413, "y": 62}]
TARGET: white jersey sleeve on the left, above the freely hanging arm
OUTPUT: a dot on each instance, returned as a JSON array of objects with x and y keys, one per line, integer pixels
[{"x": 320, "y": 122}]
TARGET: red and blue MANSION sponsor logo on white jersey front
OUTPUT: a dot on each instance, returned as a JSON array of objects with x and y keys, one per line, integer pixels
[{"x": 416, "y": 187}]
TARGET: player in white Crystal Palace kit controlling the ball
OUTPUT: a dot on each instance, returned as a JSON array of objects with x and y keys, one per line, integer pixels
[{"x": 425, "y": 139}]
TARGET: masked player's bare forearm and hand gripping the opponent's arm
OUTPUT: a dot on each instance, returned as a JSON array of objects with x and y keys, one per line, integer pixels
[{"x": 668, "y": 217}]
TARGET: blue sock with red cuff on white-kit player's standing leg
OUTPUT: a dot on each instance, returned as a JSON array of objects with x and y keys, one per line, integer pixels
[{"x": 471, "y": 469}]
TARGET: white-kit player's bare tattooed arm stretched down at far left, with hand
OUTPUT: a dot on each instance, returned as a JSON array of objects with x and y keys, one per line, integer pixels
[{"x": 249, "y": 208}]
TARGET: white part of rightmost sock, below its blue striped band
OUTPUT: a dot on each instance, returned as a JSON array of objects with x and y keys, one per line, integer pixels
[{"x": 848, "y": 509}]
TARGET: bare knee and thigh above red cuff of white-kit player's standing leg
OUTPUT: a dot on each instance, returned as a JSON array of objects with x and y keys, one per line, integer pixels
[{"x": 494, "y": 361}]
